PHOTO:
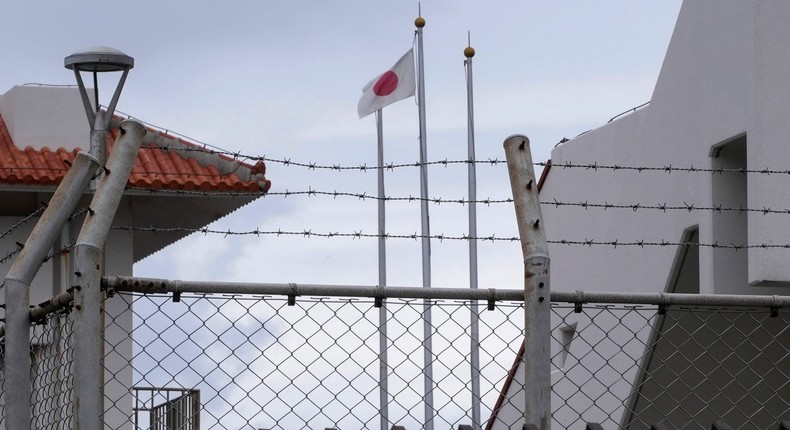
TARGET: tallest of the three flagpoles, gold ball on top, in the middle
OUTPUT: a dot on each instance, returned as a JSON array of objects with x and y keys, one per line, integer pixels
[{"x": 426, "y": 232}]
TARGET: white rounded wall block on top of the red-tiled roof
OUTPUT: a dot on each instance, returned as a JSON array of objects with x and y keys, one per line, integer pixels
[{"x": 60, "y": 122}]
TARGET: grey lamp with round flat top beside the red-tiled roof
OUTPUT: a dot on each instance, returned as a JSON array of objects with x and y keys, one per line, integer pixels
[{"x": 97, "y": 60}]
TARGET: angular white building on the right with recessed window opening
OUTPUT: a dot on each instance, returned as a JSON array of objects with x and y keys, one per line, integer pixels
[{"x": 721, "y": 101}]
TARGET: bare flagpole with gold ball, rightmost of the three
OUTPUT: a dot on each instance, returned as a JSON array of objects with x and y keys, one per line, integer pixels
[{"x": 474, "y": 351}]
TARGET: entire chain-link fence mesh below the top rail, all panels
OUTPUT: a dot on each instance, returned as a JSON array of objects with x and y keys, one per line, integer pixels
[{"x": 198, "y": 361}]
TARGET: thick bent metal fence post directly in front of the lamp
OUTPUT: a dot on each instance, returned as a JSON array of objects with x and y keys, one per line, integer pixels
[{"x": 88, "y": 342}]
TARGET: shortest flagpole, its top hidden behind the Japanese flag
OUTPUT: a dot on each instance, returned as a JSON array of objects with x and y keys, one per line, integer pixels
[{"x": 383, "y": 397}]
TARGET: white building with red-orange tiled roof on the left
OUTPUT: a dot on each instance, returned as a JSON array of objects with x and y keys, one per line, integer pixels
[{"x": 42, "y": 128}]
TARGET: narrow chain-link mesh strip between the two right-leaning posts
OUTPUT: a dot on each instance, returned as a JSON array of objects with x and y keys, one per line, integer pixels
[{"x": 51, "y": 346}]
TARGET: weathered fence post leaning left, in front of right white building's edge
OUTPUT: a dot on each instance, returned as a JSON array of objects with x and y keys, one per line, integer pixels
[{"x": 537, "y": 294}]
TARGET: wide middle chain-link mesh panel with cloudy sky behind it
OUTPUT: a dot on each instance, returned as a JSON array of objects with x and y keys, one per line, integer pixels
[{"x": 260, "y": 363}]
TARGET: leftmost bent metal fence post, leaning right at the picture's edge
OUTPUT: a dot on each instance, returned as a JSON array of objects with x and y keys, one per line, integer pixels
[{"x": 17, "y": 287}]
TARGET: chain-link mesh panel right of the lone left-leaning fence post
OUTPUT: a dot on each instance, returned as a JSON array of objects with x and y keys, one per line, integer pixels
[{"x": 631, "y": 367}]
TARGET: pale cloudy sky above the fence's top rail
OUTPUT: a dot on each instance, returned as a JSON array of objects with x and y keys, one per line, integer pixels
[{"x": 282, "y": 79}]
